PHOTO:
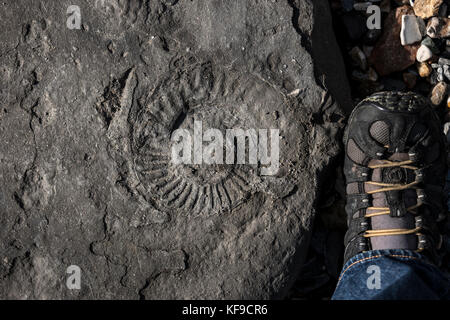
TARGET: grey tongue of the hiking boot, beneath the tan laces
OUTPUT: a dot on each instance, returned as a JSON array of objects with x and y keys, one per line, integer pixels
[{"x": 385, "y": 221}]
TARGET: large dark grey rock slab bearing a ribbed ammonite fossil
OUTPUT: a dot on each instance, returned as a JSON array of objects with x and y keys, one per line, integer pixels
[{"x": 86, "y": 118}]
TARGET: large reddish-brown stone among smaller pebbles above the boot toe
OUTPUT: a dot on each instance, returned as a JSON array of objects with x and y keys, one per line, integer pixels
[{"x": 389, "y": 55}]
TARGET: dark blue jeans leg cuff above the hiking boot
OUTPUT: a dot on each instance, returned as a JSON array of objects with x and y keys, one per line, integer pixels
[{"x": 391, "y": 275}]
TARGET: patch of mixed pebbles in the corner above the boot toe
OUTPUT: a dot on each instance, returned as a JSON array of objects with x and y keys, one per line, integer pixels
[{"x": 412, "y": 45}]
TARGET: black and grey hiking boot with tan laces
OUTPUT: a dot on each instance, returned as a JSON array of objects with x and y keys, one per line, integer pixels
[{"x": 395, "y": 169}]
